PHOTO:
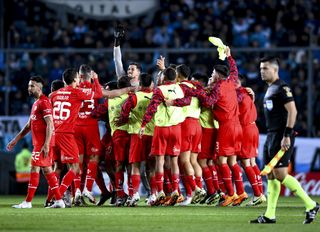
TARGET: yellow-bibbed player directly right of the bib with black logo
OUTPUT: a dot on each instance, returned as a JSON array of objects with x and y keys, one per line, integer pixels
[{"x": 190, "y": 137}]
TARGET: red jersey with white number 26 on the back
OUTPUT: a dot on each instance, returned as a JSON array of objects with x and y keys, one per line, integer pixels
[{"x": 66, "y": 104}]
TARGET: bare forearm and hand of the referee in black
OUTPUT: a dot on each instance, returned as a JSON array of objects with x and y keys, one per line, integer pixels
[{"x": 291, "y": 120}]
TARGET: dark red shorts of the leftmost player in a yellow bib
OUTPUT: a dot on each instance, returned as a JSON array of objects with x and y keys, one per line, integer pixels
[{"x": 121, "y": 145}]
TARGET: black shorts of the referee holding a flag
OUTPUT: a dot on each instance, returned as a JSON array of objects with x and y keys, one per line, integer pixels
[{"x": 273, "y": 145}]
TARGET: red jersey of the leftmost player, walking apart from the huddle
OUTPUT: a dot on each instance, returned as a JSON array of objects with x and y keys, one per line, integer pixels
[{"x": 41, "y": 108}]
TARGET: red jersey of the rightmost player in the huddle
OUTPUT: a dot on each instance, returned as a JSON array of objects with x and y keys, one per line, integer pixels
[{"x": 247, "y": 108}]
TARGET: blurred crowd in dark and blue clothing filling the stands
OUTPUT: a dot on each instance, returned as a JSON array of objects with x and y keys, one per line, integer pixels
[{"x": 179, "y": 24}]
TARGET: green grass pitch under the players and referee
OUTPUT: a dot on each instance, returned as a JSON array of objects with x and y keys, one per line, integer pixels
[{"x": 290, "y": 215}]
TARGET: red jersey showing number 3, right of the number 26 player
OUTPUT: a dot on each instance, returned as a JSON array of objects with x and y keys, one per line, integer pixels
[{"x": 85, "y": 116}]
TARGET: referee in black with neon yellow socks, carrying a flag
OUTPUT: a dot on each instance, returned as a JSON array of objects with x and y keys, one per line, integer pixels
[{"x": 280, "y": 113}]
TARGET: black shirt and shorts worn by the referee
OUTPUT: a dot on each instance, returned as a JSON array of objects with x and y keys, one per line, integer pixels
[{"x": 277, "y": 95}]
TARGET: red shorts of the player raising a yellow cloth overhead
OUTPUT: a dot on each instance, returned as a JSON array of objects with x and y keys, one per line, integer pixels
[{"x": 229, "y": 139}]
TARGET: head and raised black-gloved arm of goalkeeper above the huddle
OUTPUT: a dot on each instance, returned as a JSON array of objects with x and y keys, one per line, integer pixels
[{"x": 134, "y": 69}]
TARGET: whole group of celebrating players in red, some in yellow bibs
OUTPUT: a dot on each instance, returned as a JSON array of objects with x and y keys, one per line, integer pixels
[{"x": 190, "y": 128}]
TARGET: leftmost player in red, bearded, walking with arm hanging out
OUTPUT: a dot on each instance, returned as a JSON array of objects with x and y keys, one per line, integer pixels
[{"x": 41, "y": 125}]
